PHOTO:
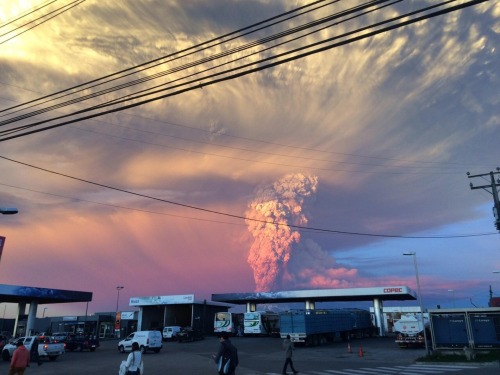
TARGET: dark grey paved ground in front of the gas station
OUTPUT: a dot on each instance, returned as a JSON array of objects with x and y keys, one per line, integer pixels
[{"x": 259, "y": 356}]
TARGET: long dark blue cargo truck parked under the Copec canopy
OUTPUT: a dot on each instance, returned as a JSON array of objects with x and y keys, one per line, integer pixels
[{"x": 316, "y": 327}]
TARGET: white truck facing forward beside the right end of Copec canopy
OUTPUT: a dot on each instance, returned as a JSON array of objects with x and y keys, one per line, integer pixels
[{"x": 410, "y": 331}]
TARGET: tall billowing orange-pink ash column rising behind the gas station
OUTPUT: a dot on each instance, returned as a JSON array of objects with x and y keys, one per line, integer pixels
[{"x": 282, "y": 202}]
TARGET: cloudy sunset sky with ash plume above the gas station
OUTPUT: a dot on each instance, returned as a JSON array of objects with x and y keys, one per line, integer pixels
[{"x": 315, "y": 173}]
